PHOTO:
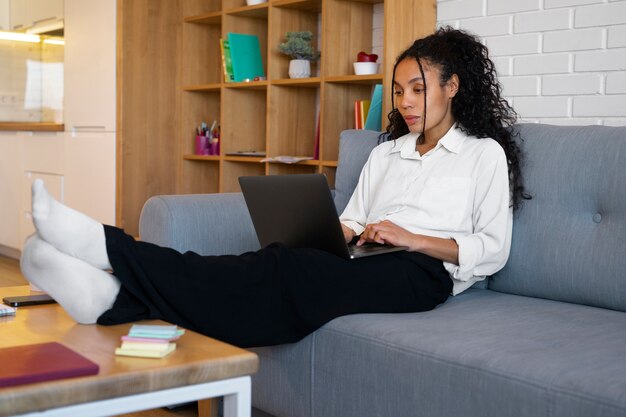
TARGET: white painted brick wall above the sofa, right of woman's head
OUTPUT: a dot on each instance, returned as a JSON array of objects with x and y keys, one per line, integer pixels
[{"x": 559, "y": 61}]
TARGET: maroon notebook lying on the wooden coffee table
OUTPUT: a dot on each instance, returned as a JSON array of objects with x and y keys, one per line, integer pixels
[{"x": 41, "y": 362}]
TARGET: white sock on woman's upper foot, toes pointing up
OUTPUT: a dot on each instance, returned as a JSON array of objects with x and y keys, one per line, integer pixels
[{"x": 68, "y": 230}]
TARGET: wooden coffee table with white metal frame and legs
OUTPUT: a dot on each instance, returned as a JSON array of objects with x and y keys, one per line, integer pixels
[{"x": 200, "y": 368}]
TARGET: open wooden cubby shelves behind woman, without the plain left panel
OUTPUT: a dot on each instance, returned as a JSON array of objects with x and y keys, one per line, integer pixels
[{"x": 282, "y": 116}]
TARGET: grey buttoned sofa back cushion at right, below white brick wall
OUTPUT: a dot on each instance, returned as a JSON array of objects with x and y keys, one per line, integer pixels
[{"x": 568, "y": 241}]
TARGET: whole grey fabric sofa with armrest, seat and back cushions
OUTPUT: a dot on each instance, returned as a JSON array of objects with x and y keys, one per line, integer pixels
[{"x": 546, "y": 336}]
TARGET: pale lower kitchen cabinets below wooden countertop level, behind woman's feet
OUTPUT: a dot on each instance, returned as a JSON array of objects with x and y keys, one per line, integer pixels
[{"x": 78, "y": 170}]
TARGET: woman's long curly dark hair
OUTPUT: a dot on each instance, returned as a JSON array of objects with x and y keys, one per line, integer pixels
[{"x": 478, "y": 106}]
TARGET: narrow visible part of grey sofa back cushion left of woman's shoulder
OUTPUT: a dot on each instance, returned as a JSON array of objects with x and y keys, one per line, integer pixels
[{"x": 354, "y": 149}]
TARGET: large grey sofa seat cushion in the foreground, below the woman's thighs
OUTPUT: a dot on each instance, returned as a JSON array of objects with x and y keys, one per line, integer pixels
[{"x": 482, "y": 353}]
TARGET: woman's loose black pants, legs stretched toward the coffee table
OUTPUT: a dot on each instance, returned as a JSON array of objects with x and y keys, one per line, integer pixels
[{"x": 273, "y": 296}]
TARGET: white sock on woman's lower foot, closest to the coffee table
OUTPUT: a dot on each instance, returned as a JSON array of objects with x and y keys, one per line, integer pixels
[{"x": 83, "y": 290}]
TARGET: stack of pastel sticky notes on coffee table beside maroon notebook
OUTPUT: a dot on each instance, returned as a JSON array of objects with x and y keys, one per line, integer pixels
[{"x": 149, "y": 341}]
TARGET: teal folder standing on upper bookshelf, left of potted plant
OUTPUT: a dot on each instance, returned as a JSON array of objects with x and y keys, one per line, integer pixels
[{"x": 245, "y": 54}]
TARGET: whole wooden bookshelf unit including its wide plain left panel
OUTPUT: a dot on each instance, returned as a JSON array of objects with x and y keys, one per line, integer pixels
[{"x": 170, "y": 78}]
